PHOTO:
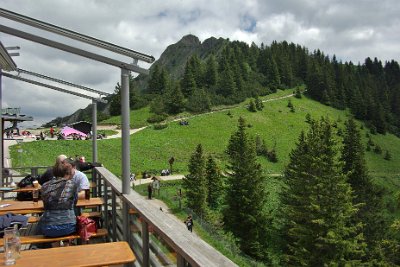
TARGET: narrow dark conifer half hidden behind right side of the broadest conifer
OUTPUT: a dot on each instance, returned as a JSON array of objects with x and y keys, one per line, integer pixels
[{"x": 366, "y": 195}]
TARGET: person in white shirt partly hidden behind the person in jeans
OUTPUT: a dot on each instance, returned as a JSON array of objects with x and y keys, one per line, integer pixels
[{"x": 79, "y": 177}]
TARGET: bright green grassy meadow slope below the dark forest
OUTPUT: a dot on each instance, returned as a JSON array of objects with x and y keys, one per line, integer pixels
[{"x": 151, "y": 149}]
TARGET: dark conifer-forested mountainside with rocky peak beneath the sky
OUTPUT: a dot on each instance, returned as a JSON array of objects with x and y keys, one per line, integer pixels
[{"x": 195, "y": 76}]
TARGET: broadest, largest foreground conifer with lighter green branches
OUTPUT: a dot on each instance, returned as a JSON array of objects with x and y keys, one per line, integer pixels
[{"x": 318, "y": 204}]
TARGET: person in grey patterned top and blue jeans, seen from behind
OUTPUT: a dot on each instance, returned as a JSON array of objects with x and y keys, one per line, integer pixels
[{"x": 59, "y": 196}]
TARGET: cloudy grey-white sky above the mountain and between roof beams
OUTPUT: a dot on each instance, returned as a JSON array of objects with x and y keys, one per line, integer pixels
[{"x": 352, "y": 30}]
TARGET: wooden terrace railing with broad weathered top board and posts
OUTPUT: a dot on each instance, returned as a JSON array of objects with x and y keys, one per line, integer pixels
[{"x": 156, "y": 238}]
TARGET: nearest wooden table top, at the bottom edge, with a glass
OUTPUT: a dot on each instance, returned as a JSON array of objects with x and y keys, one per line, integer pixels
[{"x": 102, "y": 254}]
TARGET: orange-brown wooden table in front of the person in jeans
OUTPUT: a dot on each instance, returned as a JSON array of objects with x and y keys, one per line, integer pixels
[{"x": 26, "y": 207}]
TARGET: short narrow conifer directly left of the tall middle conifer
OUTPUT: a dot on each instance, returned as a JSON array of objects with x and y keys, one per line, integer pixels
[{"x": 214, "y": 183}]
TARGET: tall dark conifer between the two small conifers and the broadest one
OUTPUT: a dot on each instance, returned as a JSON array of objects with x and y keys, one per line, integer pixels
[{"x": 245, "y": 215}]
